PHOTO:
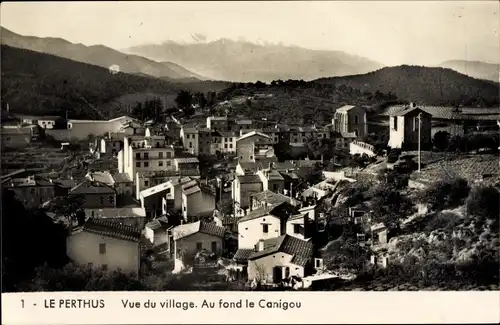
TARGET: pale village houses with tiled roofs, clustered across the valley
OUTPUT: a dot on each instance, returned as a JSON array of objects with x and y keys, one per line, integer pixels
[{"x": 157, "y": 198}]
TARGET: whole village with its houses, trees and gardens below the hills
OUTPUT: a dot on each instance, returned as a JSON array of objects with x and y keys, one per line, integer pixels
[{"x": 259, "y": 204}]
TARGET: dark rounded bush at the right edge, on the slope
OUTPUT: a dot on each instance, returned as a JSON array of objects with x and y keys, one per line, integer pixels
[{"x": 483, "y": 202}]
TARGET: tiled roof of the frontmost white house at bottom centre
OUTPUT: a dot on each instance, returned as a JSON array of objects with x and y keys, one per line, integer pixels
[{"x": 301, "y": 250}]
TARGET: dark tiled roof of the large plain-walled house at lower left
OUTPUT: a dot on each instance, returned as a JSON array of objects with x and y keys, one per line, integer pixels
[{"x": 112, "y": 229}]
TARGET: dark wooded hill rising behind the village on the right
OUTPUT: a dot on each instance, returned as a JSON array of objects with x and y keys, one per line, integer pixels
[{"x": 316, "y": 101}]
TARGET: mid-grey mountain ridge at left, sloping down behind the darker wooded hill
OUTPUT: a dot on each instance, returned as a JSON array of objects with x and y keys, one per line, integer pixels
[{"x": 97, "y": 55}]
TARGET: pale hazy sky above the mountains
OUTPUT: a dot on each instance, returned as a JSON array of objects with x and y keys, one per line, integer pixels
[{"x": 392, "y": 32}]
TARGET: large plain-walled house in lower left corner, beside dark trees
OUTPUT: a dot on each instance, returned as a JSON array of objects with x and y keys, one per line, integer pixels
[{"x": 102, "y": 243}]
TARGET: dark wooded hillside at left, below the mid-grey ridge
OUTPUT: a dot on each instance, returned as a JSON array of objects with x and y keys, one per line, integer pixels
[{"x": 38, "y": 83}]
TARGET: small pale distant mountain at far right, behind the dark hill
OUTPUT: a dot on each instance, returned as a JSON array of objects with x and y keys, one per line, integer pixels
[{"x": 475, "y": 69}]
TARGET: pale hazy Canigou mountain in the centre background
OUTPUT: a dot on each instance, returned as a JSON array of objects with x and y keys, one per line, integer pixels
[{"x": 242, "y": 61}]
